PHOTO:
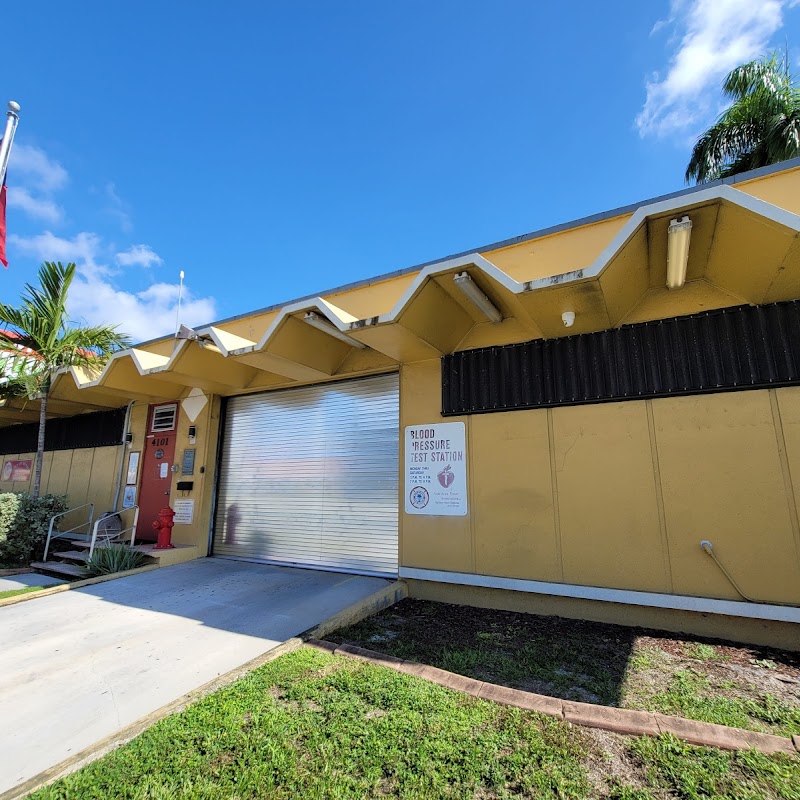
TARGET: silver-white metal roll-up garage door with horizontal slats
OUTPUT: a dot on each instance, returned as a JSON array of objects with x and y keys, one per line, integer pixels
[{"x": 309, "y": 477}]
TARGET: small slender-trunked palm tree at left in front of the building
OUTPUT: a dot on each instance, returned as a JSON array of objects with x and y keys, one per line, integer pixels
[{"x": 45, "y": 341}]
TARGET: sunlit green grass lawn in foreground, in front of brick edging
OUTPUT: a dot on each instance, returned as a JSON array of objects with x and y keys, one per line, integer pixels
[{"x": 311, "y": 725}]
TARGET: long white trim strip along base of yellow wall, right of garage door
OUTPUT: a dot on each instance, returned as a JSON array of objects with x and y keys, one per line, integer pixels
[{"x": 707, "y": 605}]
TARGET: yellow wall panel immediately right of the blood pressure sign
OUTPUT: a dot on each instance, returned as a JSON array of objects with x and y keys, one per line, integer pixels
[{"x": 512, "y": 496}]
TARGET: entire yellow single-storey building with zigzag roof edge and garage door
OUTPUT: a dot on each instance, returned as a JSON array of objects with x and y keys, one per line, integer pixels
[{"x": 552, "y": 423}]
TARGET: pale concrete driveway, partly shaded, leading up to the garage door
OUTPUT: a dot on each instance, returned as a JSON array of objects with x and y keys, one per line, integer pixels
[{"x": 77, "y": 666}]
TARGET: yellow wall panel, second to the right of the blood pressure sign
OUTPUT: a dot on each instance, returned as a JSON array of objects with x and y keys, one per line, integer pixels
[{"x": 610, "y": 531}]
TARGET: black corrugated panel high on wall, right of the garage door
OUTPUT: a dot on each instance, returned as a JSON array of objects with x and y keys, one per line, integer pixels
[{"x": 745, "y": 347}]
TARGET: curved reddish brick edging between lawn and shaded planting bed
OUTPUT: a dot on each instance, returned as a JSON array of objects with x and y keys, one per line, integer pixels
[{"x": 590, "y": 715}]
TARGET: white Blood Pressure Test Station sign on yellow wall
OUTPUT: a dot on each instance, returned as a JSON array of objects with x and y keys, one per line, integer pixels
[{"x": 436, "y": 469}]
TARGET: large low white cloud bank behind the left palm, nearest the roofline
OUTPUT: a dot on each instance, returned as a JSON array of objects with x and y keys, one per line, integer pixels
[{"x": 96, "y": 298}]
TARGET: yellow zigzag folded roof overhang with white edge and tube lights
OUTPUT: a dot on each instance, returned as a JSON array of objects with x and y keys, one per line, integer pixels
[{"x": 743, "y": 250}]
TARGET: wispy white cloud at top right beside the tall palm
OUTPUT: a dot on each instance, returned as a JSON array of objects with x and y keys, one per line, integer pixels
[{"x": 711, "y": 38}]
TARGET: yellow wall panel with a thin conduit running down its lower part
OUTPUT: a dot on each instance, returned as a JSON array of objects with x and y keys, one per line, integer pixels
[{"x": 723, "y": 481}]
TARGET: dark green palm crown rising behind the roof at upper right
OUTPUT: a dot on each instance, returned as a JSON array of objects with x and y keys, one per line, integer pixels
[{"x": 761, "y": 127}]
